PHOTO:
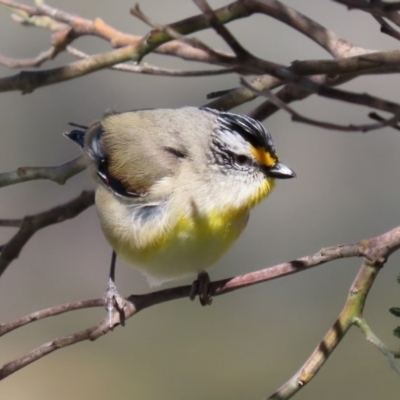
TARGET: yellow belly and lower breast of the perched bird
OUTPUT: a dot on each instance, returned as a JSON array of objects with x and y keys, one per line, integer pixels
[{"x": 191, "y": 246}]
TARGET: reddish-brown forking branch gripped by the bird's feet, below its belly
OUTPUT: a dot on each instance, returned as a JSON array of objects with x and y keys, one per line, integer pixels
[{"x": 375, "y": 251}]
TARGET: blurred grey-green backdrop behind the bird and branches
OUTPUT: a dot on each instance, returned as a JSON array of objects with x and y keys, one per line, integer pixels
[{"x": 251, "y": 341}]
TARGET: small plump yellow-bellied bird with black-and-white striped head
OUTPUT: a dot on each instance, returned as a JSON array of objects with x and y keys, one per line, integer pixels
[{"x": 175, "y": 187}]
